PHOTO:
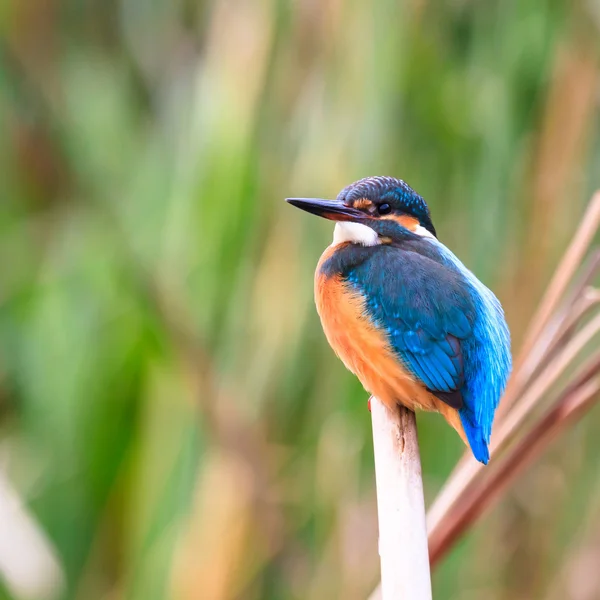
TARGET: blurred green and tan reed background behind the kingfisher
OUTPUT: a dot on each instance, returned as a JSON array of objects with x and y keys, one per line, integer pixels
[{"x": 173, "y": 424}]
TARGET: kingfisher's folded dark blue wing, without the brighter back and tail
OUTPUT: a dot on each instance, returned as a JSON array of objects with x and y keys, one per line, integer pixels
[{"x": 427, "y": 312}]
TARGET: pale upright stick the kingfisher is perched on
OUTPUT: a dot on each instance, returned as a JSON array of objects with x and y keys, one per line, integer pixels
[{"x": 400, "y": 506}]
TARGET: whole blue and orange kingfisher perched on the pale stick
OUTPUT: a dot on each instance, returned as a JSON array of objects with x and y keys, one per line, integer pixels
[{"x": 404, "y": 314}]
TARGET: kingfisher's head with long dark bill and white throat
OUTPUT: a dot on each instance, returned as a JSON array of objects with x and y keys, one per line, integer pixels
[{"x": 373, "y": 209}]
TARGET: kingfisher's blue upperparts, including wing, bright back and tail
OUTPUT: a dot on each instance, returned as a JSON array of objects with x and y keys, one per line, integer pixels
[{"x": 446, "y": 327}]
